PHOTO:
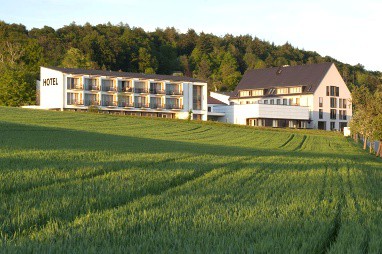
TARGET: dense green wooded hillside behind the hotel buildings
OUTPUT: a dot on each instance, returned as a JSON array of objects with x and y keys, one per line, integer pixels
[{"x": 219, "y": 60}]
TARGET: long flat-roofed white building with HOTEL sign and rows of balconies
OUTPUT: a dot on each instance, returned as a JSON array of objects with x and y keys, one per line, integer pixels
[{"x": 126, "y": 93}]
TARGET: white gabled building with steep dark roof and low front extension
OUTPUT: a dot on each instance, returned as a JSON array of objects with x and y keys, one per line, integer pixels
[{"x": 306, "y": 96}]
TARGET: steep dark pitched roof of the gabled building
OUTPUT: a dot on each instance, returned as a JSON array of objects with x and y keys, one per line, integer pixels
[{"x": 301, "y": 75}]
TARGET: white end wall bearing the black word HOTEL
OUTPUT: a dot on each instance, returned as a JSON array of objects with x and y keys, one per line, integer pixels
[{"x": 51, "y": 88}]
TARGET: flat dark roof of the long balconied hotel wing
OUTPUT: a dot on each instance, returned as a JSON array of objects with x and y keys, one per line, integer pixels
[{"x": 125, "y": 74}]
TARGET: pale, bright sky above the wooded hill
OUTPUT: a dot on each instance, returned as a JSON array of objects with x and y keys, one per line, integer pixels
[{"x": 349, "y": 31}]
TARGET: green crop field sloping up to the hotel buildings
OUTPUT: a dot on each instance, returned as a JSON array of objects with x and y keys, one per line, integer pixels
[{"x": 82, "y": 182}]
